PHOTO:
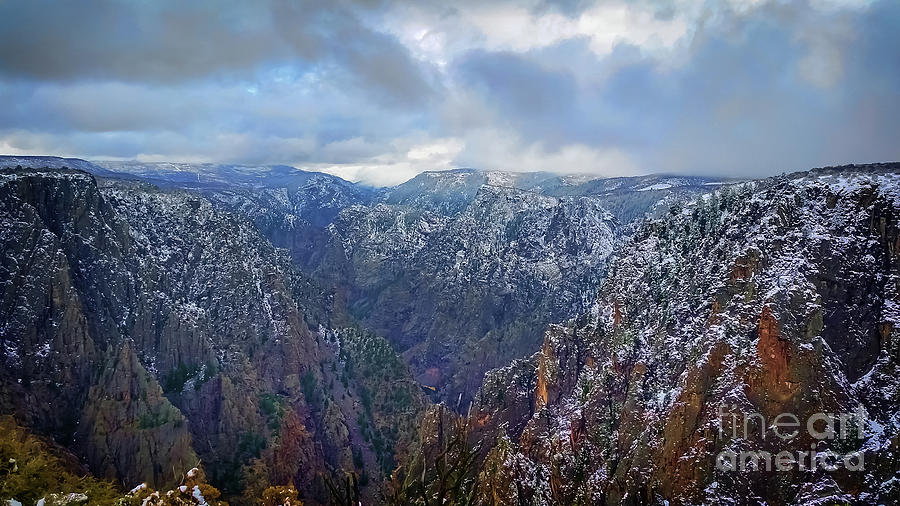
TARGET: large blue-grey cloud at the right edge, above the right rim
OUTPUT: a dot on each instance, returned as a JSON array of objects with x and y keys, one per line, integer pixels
[{"x": 767, "y": 97}]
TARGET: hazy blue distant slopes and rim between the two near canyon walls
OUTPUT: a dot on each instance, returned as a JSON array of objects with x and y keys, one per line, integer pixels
[{"x": 460, "y": 269}]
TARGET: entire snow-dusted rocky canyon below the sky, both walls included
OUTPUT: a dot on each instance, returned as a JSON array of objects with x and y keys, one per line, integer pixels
[{"x": 528, "y": 338}]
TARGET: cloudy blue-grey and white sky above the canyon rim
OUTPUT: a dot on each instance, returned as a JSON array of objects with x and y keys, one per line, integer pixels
[{"x": 379, "y": 91}]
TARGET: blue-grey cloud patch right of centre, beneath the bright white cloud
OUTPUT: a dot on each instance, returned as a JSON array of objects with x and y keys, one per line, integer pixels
[{"x": 553, "y": 96}]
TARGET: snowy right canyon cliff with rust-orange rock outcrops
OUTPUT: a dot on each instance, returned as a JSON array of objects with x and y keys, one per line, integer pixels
[{"x": 770, "y": 297}]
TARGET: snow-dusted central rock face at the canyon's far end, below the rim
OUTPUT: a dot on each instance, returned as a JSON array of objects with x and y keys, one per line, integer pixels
[{"x": 462, "y": 294}]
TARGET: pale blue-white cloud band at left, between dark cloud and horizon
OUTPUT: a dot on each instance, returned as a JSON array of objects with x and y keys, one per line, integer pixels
[{"x": 203, "y": 121}]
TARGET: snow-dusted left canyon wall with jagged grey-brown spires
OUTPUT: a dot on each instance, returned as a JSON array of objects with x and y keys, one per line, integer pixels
[{"x": 148, "y": 329}]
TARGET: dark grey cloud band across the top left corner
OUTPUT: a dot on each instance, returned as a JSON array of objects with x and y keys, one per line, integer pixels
[{"x": 171, "y": 41}]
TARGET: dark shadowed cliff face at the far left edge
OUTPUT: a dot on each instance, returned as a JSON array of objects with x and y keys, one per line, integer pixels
[{"x": 48, "y": 351}]
